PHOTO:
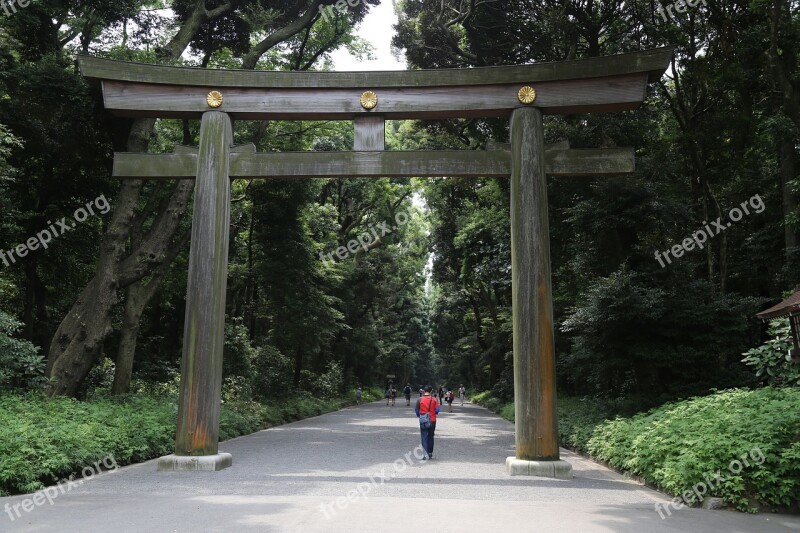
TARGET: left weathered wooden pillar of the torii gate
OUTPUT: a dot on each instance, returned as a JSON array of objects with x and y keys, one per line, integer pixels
[{"x": 204, "y": 329}]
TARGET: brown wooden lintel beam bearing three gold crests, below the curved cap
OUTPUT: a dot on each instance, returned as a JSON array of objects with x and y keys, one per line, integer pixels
[{"x": 614, "y": 93}]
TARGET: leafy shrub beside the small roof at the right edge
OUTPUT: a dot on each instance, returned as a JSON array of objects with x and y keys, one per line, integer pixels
[{"x": 771, "y": 360}]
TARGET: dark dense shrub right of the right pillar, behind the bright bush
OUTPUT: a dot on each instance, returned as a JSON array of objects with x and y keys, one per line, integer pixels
[{"x": 630, "y": 337}]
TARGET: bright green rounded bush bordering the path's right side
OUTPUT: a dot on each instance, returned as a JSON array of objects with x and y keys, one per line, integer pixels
[{"x": 679, "y": 444}]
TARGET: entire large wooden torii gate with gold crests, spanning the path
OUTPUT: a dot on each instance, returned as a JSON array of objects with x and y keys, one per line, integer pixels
[{"x": 523, "y": 93}]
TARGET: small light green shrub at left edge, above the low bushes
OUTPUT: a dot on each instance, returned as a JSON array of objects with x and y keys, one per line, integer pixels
[{"x": 22, "y": 366}]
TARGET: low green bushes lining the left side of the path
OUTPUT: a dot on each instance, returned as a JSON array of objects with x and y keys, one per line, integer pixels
[{"x": 45, "y": 440}]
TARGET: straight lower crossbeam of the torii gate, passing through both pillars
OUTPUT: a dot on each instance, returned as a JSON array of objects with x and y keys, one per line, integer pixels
[{"x": 463, "y": 163}]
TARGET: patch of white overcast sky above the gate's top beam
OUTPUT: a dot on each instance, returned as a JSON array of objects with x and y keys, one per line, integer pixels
[{"x": 377, "y": 29}]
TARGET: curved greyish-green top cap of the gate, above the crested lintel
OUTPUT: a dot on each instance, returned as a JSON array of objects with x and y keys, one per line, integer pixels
[{"x": 651, "y": 62}]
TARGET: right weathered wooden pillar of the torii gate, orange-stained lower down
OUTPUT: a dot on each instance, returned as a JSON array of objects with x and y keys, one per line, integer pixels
[{"x": 534, "y": 350}]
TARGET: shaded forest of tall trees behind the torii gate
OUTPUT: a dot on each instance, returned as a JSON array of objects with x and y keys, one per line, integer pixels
[{"x": 103, "y": 305}]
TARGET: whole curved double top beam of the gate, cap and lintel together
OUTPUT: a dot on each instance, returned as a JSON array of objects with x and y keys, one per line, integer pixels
[{"x": 612, "y": 83}]
